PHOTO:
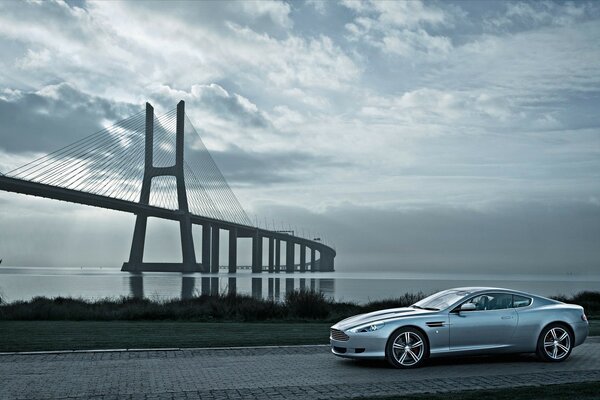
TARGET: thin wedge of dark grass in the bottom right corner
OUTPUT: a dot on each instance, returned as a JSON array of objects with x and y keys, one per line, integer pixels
[{"x": 579, "y": 391}]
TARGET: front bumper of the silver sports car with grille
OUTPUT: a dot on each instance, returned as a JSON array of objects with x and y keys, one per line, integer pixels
[{"x": 367, "y": 345}]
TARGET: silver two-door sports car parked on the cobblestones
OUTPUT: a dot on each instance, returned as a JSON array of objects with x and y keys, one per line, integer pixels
[{"x": 463, "y": 321}]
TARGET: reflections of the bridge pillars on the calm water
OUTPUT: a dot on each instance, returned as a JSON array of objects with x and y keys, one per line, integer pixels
[{"x": 274, "y": 288}]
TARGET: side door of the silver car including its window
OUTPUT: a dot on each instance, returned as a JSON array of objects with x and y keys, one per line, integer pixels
[{"x": 491, "y": 325}]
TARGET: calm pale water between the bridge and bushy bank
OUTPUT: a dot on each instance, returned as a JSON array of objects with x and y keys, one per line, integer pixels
[{"x": 24, "y": 283}]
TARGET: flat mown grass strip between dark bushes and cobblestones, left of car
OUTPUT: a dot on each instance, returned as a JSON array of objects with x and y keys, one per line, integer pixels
[{"x": 84, "y": 335}]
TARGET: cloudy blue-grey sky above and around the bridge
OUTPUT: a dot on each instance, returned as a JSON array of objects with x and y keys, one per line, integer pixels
[{"x": 414, "y": 136}]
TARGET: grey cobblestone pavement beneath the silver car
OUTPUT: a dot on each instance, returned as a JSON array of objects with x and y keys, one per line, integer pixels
[{"x": 295, "y": 372}]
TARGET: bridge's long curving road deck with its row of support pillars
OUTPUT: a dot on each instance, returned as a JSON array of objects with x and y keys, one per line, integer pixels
[{"x": 326, "y": 253}]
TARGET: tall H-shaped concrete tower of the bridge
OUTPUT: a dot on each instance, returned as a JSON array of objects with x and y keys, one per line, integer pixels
[{"x": 136, "y": 262}]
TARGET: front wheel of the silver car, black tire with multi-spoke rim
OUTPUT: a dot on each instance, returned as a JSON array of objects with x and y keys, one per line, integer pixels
[{"x": 401, "y": 354}]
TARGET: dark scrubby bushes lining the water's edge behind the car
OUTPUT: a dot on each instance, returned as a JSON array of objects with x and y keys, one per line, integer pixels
[{"x": 297, "y": 306}]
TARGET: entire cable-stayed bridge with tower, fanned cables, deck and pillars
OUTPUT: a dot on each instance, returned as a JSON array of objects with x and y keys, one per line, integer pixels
[{"x": 138, "y": 166}]
